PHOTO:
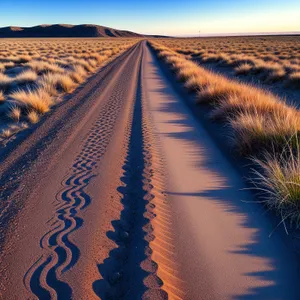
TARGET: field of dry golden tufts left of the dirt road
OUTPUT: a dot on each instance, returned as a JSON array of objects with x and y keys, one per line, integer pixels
[{"x": 35, "y": 74}]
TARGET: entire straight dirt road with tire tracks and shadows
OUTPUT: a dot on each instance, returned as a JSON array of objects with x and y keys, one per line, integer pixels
[{"x": 121, "y": 194}]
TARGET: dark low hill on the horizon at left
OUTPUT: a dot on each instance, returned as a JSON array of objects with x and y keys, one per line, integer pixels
[{"x": 64, "y": 30}]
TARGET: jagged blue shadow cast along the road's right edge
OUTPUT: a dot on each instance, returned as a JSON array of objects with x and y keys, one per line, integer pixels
[{"x": 279, "y": 280}]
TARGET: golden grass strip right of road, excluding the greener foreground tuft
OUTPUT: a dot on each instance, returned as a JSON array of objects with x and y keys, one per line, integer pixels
[{"x": 257, "y": 118}]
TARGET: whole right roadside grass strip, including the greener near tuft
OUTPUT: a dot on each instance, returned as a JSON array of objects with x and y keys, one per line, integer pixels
[{"x": 264, "y": 128}]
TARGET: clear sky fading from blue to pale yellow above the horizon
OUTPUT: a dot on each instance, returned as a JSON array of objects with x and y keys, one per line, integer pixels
[{"x": 173, "y": 17}]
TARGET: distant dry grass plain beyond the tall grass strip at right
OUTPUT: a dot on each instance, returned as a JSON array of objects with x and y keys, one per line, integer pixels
[{"x": 272, "y": 59}]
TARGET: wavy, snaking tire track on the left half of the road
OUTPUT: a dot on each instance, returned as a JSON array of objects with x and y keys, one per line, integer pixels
[{"x": 60, "y": 253}]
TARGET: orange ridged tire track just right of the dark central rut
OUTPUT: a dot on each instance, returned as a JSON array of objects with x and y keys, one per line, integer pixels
[{"x": 161, "y": 229}]
